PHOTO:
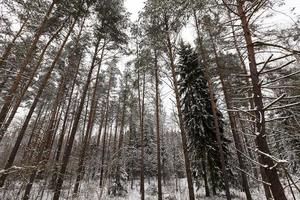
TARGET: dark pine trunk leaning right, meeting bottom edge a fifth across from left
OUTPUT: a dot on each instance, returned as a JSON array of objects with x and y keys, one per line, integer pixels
[{"x": 68, "y": 149}]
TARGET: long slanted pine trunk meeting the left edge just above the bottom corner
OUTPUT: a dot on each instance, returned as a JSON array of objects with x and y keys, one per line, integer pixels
[{"x": 21, "y": 134}]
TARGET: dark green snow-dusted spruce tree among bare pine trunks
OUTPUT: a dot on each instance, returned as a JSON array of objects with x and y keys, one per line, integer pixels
[{"x": 198, "y": 120}]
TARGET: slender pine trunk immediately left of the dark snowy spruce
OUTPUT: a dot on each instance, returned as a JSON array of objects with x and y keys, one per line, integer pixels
[{"x": 180, "y": 115}]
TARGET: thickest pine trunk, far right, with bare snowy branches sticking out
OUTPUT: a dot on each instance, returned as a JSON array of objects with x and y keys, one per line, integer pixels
[{"x": 270, "y": 169}]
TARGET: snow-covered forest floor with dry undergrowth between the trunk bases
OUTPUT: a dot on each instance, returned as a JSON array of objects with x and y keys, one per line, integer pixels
[{"x": 90, "y": 191}]
